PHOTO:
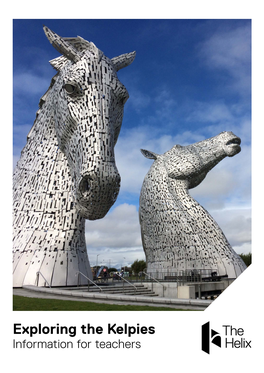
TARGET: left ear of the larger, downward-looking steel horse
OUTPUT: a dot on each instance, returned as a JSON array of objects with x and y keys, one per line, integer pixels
[{"x": 62, "y": 45}]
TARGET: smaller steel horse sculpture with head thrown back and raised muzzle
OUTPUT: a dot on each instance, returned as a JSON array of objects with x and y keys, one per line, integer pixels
[{"x": 177, "y": 233}]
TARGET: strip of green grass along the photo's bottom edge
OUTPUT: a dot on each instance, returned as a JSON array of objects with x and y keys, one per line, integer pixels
[{"x": 38, "y": 304}]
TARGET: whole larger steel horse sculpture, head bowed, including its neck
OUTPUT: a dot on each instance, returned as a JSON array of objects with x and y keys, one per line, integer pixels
[{"x": 67, "y": 171}]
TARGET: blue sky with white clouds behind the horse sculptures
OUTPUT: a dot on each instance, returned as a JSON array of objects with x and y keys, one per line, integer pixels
[{"x": 191, "y": 80}]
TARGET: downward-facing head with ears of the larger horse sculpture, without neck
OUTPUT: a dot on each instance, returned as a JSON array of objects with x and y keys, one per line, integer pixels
[{"x": 87, "y": 104}]
